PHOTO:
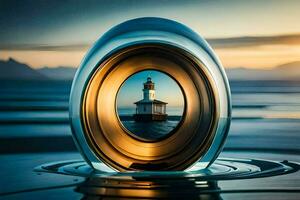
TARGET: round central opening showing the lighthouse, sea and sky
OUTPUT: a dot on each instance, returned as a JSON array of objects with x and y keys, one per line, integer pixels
[{"x": 150, "y": 105}]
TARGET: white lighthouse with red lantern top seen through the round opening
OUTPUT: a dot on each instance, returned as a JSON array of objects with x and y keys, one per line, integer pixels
[{"x": 149, "y": 108}]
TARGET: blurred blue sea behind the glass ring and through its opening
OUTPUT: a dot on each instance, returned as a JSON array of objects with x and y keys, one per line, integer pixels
[{"x": 266, "y": 115}]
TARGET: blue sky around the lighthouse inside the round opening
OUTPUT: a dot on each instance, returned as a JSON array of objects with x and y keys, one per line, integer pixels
[{"x": 166, "y": 89}]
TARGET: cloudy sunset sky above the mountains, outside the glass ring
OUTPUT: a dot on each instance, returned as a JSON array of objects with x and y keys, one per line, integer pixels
[{"x": 253, "y": 34}]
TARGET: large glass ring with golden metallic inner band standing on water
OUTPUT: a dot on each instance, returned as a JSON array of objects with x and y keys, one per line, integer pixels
[{"x": 150, "y": 44}]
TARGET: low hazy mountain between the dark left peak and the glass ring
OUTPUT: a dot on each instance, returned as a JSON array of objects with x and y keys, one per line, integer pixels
[{"x": 58, "y": 73}]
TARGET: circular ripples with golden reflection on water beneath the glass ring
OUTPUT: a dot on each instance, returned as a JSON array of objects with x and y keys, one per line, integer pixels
[{"x": 153, "y": 184}]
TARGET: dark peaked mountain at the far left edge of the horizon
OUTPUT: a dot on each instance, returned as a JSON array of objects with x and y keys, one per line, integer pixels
[{"x": 13, "y": 70}]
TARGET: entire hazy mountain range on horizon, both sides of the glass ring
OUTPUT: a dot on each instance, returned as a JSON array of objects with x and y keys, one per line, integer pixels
[{"x": 14, "y": 70}]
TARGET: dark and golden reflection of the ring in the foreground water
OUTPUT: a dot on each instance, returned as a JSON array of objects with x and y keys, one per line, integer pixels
[{"x": 95, "y": 187}]
